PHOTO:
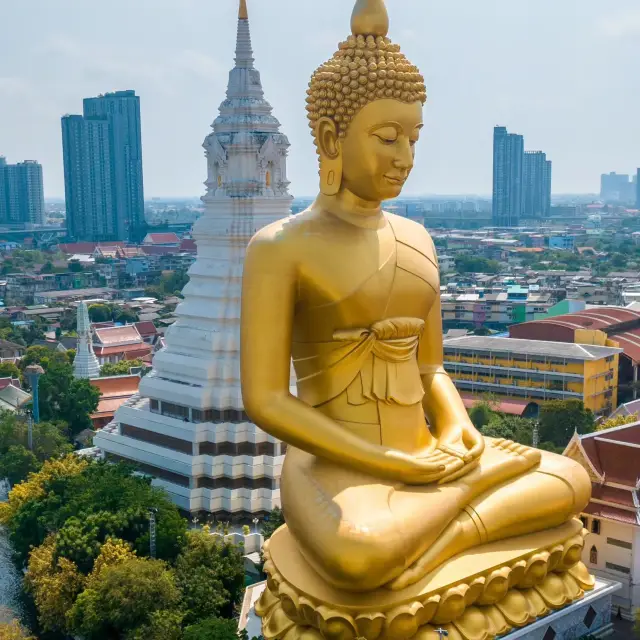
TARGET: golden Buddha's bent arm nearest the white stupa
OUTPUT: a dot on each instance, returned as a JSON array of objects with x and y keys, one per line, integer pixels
[{"x": 268, "y": 303}]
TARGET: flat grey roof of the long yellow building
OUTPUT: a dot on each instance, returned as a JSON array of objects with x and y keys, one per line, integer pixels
[{"x": 532, "y": 347}]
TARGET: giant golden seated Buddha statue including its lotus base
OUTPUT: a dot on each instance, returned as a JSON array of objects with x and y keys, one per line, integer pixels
[{"x": 395, "y": 505}]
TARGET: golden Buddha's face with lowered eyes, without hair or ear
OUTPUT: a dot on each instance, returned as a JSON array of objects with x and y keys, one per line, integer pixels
[{"x": 379, "y": 148}]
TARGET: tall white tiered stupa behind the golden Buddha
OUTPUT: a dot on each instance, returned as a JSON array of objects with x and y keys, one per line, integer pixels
[{"x": 188, "y": 427}]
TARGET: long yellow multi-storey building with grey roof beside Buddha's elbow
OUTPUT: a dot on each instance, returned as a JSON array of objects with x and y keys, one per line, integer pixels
[{"x": 535, "y": 370}]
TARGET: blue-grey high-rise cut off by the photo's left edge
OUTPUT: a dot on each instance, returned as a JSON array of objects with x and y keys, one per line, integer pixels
[{"x": 21, "y": 193}]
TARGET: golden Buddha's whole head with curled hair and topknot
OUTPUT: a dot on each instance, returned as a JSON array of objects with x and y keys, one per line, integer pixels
[{"x": 365, "y": 110}]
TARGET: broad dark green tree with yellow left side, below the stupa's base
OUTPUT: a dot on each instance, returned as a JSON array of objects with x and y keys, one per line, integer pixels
[{"x": 100, "y": 500}]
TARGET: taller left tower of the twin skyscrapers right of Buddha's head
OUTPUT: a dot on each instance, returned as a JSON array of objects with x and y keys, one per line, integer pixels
[{"x": 508, "y": 163}]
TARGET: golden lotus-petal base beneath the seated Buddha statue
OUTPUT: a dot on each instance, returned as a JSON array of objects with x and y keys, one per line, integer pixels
[{"x": 481, "y": 594}]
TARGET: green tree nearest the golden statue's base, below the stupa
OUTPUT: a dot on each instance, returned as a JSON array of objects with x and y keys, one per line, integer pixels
[{"x": 210, "y": 575}]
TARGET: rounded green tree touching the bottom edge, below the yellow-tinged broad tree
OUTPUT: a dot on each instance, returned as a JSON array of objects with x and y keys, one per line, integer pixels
[{"x": 123, "y": 598}]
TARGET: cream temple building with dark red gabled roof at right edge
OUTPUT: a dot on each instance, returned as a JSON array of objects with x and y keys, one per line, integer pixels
[{"x": 612, "y": 548}]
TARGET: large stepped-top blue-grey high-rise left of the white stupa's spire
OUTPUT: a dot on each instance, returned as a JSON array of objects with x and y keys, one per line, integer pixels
[{"x": 103, "y": 169}]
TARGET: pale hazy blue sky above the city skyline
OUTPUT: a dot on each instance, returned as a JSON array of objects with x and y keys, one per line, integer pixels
[{"x": 564, "y": 73}]
